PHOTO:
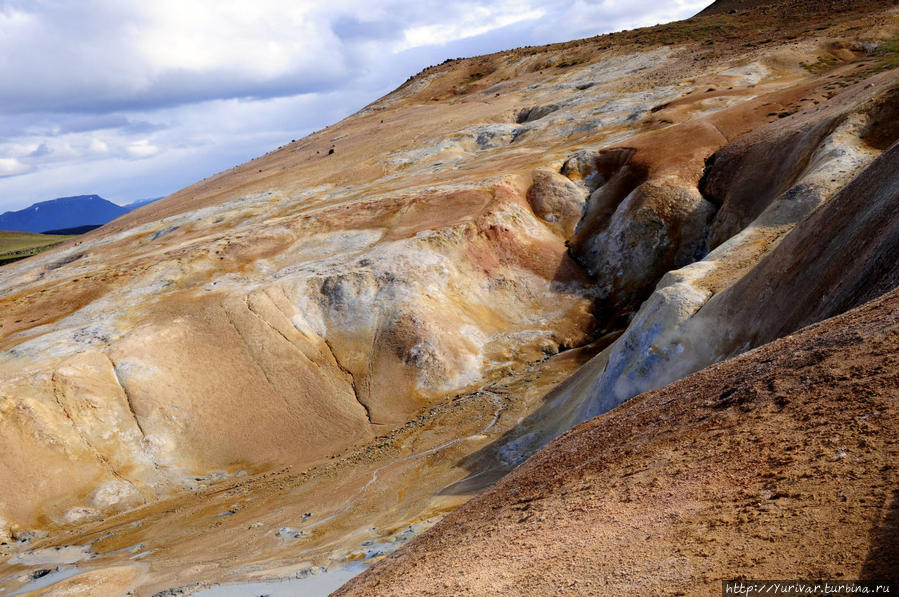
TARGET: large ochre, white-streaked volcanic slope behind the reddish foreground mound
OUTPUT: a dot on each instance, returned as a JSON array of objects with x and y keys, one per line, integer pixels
[{"x": 304, "y": 360}]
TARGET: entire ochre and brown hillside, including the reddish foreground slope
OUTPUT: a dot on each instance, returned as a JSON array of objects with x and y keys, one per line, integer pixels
[{"x": 304, "y": 362}]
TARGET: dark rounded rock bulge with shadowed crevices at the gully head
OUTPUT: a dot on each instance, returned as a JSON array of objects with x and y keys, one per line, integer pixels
[{"x": 659, "y": 223}]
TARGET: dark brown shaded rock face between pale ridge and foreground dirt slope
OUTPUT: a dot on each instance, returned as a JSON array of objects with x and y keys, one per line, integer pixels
[{"x": 823, "y": 267}]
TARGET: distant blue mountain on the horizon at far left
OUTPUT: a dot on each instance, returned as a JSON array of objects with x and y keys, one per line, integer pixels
[{"x": 66, "y": 213}]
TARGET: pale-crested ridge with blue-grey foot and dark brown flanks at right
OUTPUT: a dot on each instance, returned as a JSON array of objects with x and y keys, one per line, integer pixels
[{"x": 750, "y": 290}]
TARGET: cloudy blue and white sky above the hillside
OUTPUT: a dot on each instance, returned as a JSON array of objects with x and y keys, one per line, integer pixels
[{"x": 131, "y": 99}]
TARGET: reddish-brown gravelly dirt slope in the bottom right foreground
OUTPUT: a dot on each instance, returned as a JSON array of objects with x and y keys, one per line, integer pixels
[{"x": 781, "y": 463}]
